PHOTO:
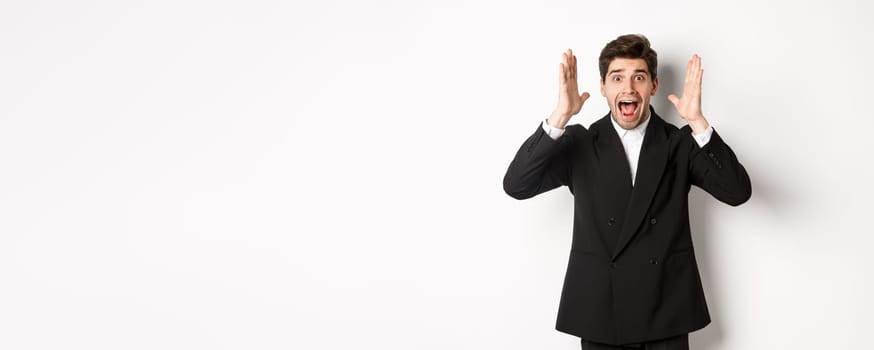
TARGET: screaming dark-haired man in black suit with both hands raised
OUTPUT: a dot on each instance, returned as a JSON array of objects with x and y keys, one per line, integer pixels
[{"x": 632, "y": 280}]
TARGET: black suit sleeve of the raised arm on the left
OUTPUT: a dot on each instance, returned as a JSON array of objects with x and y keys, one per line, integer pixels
[{"x": 540, "y": 165}]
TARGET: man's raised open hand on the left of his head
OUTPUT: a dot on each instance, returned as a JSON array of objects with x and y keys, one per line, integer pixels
[{"x": 569, "y": 102}]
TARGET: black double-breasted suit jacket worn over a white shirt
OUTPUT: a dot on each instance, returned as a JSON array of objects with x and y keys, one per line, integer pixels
[{"x": 632, "y": 274}]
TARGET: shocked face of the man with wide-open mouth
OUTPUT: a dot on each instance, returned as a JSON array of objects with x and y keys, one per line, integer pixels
[{"x": 628, "y": 87}]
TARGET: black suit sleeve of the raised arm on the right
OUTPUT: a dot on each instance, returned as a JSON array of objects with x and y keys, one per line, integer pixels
[{"x": 716, "y": 170}]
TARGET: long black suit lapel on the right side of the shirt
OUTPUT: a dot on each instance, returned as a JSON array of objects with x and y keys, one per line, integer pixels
[{"x": 650, "y": 167}]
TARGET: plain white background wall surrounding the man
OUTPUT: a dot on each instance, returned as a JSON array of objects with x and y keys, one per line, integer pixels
[{"x": 327, "y": 175}]
